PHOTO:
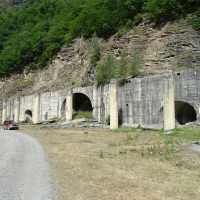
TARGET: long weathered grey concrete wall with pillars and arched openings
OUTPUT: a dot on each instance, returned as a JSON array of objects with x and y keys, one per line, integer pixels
[{"x": 147, "y": 102}]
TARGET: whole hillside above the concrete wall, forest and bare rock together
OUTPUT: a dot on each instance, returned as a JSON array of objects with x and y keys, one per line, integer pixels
[{"x": 66, "y": 43}]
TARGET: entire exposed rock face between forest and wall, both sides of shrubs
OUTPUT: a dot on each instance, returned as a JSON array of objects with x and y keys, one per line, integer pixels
[{"x": 175, "y": 46}]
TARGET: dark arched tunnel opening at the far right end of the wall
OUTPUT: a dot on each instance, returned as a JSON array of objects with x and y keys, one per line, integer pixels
[{"x": 184, "y": 112}]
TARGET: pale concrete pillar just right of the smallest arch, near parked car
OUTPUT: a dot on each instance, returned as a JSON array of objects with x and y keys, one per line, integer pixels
[{"x": 36, "y": 108}]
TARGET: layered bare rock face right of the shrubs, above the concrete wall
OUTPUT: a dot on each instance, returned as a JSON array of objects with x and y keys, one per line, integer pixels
[{"x": 172, "y": 47}]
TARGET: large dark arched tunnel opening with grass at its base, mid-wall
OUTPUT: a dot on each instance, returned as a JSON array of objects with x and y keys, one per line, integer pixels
[{"x": 82, "y": 106}]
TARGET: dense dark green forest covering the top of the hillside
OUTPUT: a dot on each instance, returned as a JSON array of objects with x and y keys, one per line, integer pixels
[{"x": 30, "y": 35}]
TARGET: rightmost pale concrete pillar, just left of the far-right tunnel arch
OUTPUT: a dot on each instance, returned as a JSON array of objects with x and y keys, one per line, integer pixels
[{"x": 169, "y": 104}]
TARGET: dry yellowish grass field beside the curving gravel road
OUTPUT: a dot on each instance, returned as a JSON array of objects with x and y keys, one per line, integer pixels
[{"x": 96, "y": 164}]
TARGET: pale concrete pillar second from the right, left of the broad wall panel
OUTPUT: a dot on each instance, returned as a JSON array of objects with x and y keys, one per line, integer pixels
[{"x": 114, "y": 115}]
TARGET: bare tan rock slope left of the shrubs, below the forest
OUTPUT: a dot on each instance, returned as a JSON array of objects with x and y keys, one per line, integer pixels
[{"x": 68, "y": 69}]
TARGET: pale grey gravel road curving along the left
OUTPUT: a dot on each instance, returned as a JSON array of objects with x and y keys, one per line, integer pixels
[{"x": 24, "y": 173}]
